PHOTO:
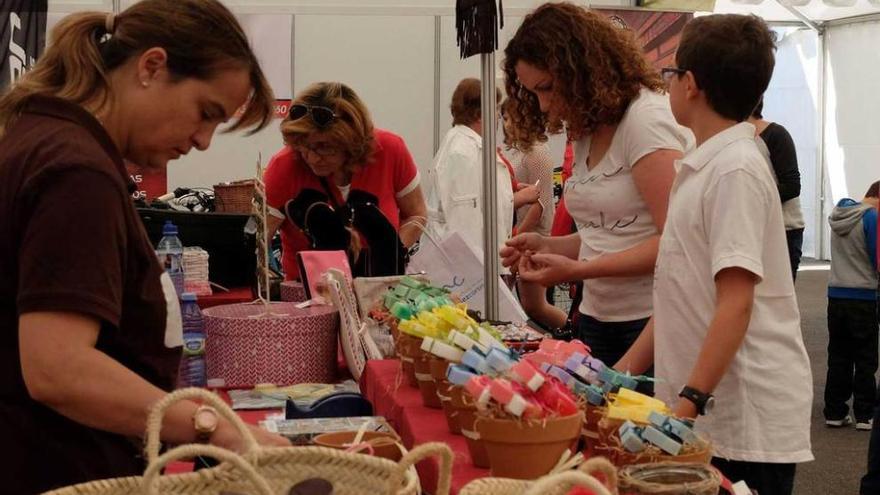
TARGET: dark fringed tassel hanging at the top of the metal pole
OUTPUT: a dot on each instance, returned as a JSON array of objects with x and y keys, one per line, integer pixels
[{"x": 477, "y": 23}]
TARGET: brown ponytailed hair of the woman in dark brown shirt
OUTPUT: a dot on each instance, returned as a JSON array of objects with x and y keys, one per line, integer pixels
[{"x": 201, "y": 38}]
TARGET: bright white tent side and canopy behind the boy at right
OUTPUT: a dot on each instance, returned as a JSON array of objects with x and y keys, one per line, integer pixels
[{"x": 824, "y": 91}]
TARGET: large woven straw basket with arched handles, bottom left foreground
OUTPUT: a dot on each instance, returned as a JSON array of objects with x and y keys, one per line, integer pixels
[{"x": 263, "y": 470}]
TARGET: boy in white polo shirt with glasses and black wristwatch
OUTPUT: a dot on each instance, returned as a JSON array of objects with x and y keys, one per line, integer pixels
[{"x": 725, "y": 339}]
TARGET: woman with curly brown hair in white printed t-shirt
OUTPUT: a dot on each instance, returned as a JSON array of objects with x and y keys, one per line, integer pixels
[{"x": 569, "y": 69}]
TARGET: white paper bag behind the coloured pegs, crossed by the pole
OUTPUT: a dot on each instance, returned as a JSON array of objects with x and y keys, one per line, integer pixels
[{"x": 453, "y": 264}]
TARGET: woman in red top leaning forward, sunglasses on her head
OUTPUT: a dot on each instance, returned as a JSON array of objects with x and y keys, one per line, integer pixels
[{"x": 341, "y": 183}]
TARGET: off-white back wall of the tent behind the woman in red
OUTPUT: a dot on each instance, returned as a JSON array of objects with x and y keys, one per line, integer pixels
[{"x": 399, "y": 55}]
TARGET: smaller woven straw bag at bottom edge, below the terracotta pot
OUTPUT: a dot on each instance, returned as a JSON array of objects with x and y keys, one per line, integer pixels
[{"x": 558, "y": 483}]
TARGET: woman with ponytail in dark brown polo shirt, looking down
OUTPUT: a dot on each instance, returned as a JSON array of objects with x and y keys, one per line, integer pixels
[{"x": 89, "y": 324}]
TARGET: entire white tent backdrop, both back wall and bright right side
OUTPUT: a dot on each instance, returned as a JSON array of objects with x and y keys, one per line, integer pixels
[{"x": 822, "y": 91}]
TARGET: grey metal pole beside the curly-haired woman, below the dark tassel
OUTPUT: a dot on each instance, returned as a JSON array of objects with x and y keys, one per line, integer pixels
[{"x": 490, "y": 188}]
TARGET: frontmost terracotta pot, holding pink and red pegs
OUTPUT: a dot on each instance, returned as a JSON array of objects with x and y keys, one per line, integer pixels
[{"x": 527, "y": 449}]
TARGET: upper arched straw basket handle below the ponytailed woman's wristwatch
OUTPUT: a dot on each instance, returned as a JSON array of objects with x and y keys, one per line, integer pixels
[{"x": 157, "y": 413}]
